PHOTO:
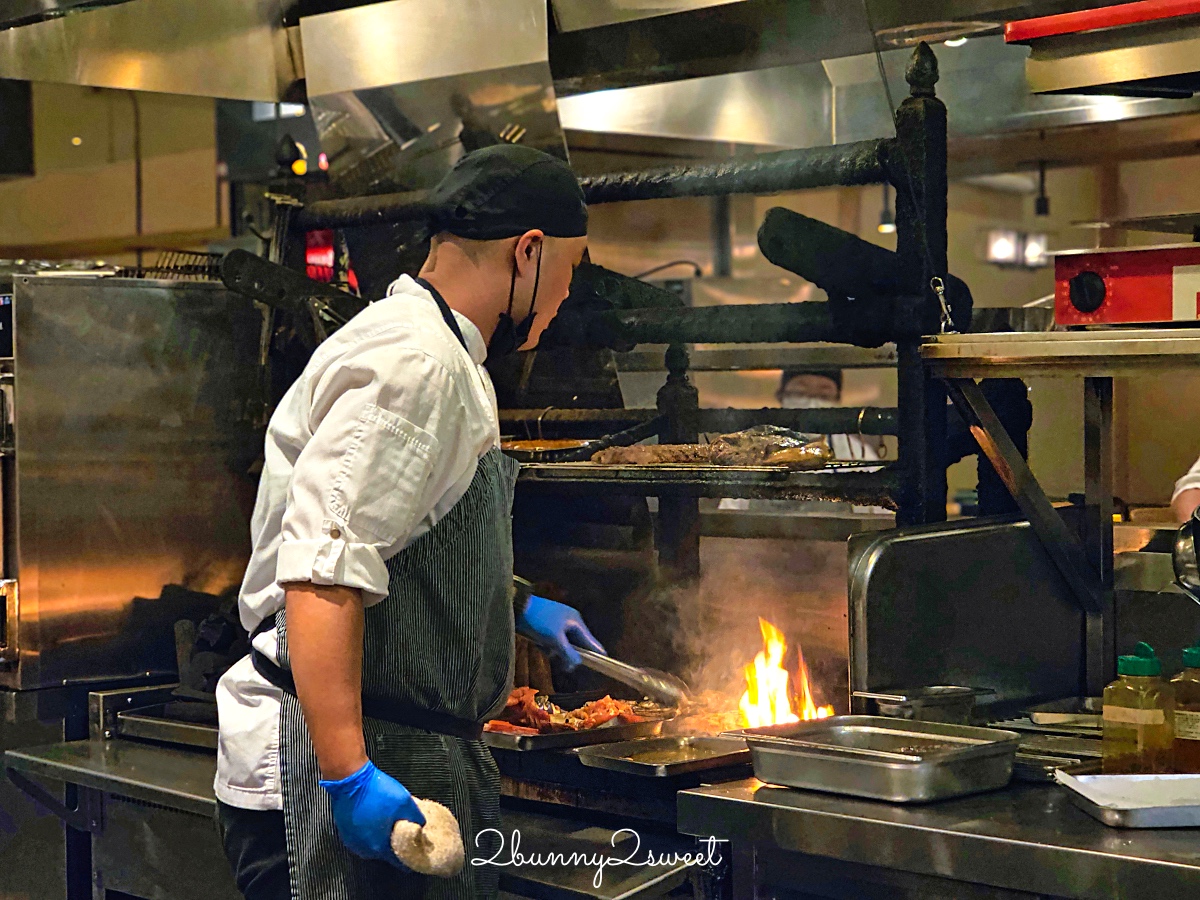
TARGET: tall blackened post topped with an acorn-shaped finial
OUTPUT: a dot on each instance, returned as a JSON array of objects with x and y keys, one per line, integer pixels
[{"x": 919, "y": 173}]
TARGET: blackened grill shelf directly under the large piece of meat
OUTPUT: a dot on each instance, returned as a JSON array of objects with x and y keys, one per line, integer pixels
[{"x": 868, "y": 484}]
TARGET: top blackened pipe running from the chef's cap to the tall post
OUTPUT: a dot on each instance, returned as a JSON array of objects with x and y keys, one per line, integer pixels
[{"x": 859, "y": 164}]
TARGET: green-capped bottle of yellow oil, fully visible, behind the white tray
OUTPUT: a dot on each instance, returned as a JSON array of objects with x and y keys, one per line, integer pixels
[{"x": 1139, "y": 707}]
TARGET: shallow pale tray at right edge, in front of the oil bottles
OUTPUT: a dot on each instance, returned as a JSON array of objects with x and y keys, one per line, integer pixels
[{"x": 1137, "y": 801}]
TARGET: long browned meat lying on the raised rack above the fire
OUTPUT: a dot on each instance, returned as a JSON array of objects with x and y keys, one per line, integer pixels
[{"x": 761, "y": 446}]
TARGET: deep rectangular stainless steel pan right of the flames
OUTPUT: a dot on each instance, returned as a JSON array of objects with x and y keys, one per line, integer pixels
[{"x": 884, "y": 759}]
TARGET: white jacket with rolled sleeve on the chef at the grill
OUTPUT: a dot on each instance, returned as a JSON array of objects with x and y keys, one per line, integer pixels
[{"x": 370, "y": 448}]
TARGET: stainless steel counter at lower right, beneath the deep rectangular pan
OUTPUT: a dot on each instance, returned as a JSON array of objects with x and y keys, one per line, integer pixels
[{"x": 1028, "y": 838}]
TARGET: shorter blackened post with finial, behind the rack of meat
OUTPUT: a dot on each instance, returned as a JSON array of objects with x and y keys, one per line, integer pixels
[{"x": 679, "y": 532}]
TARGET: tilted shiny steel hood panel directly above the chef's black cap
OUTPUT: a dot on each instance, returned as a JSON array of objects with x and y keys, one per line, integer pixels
[{"x": 400, "y": 91}]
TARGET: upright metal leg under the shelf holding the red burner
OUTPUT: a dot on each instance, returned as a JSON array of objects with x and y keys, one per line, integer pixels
[{"x": 1101, "y": 629}]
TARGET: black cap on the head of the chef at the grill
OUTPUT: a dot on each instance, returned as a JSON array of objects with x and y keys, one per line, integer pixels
[{"x": 507, "y": 190}]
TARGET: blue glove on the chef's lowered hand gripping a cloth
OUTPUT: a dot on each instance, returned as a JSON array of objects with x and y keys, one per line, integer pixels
[{"x": 367, "y": 806}]
